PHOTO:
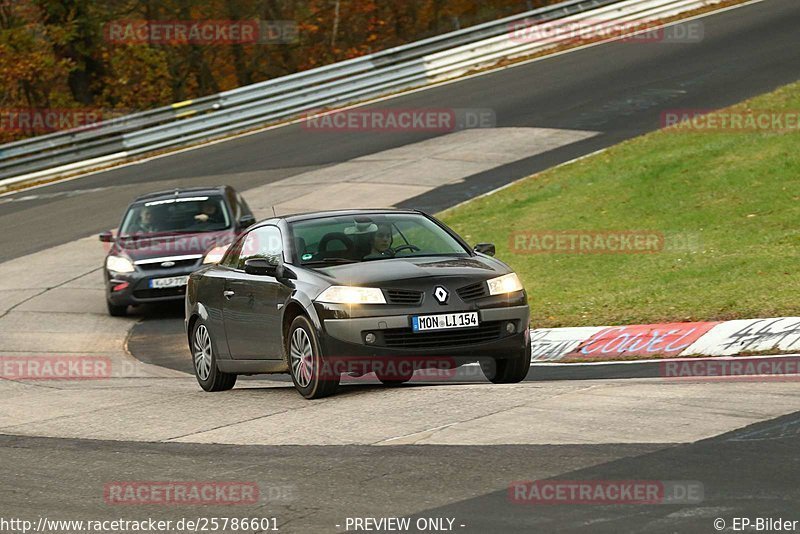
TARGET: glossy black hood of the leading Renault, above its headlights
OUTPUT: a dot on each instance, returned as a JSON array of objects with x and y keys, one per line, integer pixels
[{"x": 382, "y": 271}]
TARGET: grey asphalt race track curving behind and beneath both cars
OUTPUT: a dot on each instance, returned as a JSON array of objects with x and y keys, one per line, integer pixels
[{"x": 445, "y": 451}]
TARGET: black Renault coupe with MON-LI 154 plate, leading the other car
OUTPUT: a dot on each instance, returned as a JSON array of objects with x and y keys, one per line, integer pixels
[{"x": 385, "y": 291}]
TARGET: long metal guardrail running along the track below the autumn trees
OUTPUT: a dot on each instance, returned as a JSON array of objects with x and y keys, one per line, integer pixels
[{"x": 412, "y": 65}]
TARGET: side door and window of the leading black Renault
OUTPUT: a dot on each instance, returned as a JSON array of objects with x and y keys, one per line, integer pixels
[{"x": 250, "y": 308}]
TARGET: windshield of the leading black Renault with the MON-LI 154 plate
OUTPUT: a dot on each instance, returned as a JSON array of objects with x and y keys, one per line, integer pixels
[{"x": 351, "y": 239}]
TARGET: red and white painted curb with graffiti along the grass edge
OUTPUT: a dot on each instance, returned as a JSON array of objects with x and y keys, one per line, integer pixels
[{"x": 726, "y": 338}]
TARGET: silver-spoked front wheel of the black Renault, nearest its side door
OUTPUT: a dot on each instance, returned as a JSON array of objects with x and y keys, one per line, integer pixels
[{"x": 312, "y": 376}]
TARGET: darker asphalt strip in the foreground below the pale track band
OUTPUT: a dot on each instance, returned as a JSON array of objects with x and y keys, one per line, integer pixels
[{"x": 316, "y": 488}]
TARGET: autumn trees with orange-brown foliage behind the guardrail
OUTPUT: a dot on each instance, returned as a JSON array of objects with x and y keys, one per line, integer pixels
[{"x": 57, "y": 54}]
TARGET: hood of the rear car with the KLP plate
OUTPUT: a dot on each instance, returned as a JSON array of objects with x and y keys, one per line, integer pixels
[{"x": 164, "y": 246}]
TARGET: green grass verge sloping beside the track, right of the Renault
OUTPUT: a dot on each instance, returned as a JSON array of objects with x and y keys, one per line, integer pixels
[{"x": 726, "y": 203}]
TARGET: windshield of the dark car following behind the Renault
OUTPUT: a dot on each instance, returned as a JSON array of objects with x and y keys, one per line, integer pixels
[{"x": 176, "y": 215}]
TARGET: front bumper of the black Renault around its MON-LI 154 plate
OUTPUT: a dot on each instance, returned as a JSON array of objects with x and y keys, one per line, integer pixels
[{"x": 393, "y": 336}]
